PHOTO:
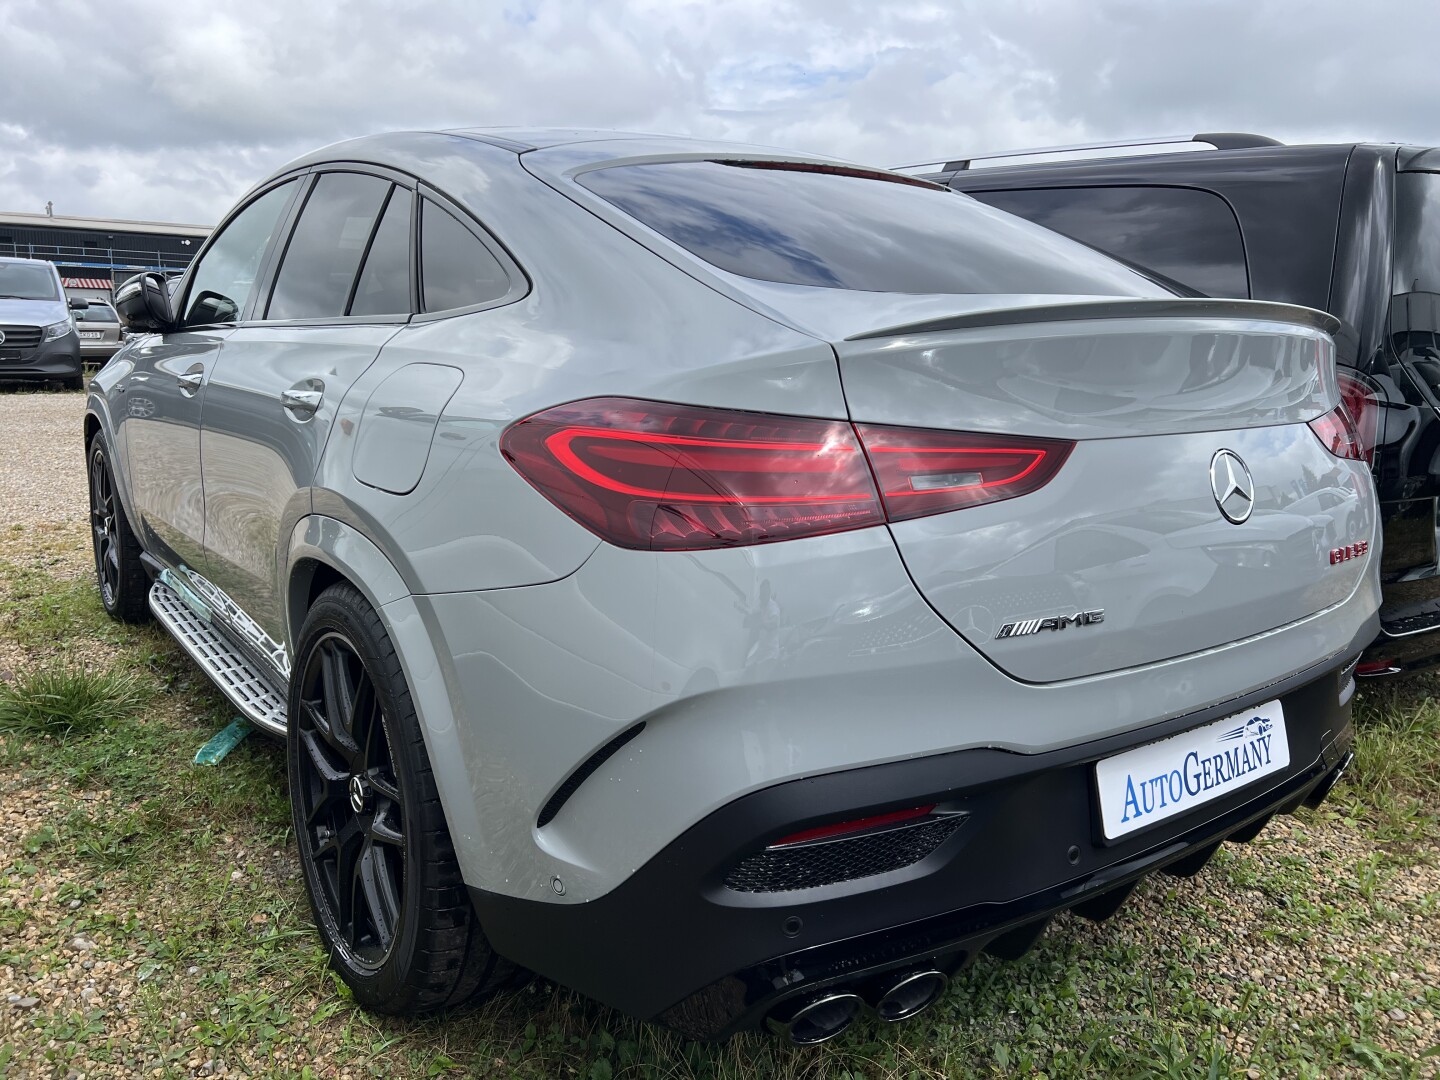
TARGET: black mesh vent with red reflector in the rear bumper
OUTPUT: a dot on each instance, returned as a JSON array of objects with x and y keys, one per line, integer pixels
[{"x": 829, "y": 863}]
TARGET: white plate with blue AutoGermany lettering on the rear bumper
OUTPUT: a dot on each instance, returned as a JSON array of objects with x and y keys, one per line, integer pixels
[{"x": 1186, "y": 771}]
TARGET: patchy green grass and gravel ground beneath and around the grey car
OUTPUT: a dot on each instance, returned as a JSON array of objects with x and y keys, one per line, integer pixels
[{"x": 186, "y": 878}]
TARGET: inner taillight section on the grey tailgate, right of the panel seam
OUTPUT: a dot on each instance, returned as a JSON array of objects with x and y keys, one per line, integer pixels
[{"x": 932, "y": 472}]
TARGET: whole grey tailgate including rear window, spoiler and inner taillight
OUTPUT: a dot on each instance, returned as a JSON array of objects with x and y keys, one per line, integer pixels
[{"x": 1062, "y": 512}]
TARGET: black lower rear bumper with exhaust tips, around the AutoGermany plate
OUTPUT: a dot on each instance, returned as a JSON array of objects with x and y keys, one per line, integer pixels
[{"x": 673, "y": 944}]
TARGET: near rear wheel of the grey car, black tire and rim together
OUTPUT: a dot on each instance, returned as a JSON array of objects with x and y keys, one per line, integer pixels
[{"x": 379, "y": 865}]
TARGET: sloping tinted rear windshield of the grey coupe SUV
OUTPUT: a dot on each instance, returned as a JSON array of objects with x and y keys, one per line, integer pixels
[{"x": 853, "y": 230}]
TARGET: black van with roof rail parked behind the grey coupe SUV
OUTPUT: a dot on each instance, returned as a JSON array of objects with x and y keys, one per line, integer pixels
[{"x": 1353, "y": 230}]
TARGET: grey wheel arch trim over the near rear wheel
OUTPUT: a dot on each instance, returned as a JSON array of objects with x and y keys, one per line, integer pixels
[{"x": 325, "y": 552}]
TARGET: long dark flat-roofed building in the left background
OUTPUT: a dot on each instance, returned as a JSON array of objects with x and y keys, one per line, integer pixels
[{"x": 97, "y": 254}]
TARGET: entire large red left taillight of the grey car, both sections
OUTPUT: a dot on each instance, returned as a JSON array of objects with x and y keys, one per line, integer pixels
[{"x": 676, "y": 477}]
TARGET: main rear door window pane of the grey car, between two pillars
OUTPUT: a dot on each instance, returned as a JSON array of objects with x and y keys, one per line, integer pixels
[{"x": 328, "y": 246}]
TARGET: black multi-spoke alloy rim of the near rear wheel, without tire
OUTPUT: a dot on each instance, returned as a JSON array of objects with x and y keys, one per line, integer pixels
[{"x": 351, "y": 801}]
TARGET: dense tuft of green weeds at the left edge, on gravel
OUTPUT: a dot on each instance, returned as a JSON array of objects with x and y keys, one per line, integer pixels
[{"x": 66, "y": 701}]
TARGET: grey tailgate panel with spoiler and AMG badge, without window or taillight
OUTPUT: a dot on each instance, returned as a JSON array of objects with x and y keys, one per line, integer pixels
[{"x": 1125, "y": 557}]
